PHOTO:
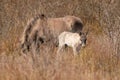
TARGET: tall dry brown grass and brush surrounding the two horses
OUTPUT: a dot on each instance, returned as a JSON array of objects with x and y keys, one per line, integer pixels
[{"x": 97, "y": 61}]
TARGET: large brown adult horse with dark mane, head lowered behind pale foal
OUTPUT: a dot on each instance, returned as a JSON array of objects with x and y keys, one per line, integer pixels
[{"x": 41, "y": 29}]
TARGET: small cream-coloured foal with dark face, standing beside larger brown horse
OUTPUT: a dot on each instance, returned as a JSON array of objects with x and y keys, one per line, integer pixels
[{"x": 74, "y": 40}]
